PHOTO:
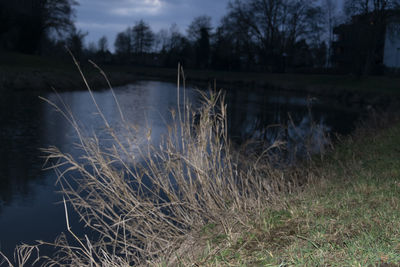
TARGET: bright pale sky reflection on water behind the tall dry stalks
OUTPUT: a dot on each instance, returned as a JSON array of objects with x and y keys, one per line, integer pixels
[{"x": 144, "y": 105}]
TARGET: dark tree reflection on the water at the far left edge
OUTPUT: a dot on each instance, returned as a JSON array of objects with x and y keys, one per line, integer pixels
[{"x": 20, "y": 138}]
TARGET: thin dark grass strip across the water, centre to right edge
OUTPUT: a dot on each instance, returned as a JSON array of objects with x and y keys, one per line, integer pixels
[{"x": 324, "y": 84}]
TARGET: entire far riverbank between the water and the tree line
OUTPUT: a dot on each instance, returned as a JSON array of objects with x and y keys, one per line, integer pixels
[{"x": 23, "y": 72}]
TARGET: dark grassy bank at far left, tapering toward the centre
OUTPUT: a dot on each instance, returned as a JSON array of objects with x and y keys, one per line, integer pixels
[{"x": 35, "y": 73}]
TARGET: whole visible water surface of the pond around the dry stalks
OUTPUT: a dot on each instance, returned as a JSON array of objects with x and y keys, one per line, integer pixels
[{"x": 30, "y": 208}]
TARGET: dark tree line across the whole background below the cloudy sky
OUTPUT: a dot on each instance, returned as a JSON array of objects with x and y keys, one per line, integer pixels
[{"x": 264, "y": 35}]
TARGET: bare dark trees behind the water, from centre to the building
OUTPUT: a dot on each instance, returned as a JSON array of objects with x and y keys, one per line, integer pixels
[{"x": 253, "y": 35}]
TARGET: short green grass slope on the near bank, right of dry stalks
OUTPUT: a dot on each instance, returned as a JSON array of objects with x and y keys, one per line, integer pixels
[{"x": 350, "y": 215}]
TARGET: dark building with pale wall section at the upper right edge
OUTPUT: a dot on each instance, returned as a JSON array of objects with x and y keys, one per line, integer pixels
[{"x": 368, "y": 44}]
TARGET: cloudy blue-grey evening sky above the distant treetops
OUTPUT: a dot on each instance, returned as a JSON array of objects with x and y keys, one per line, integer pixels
[{"x": 108, "y": 17}]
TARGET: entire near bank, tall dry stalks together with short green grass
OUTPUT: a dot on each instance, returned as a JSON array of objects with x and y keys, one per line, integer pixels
[{"x": 197, "y": 200}]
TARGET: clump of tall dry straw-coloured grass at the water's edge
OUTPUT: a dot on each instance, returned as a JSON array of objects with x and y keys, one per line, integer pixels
[{"x": 150, "y": 208}]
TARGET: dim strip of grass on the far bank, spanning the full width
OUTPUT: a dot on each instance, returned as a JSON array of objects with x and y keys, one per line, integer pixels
[{"x": 336, "y": 85}]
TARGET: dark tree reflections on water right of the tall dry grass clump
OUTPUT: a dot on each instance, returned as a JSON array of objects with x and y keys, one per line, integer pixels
[{"x": 302, "y": 121}]
